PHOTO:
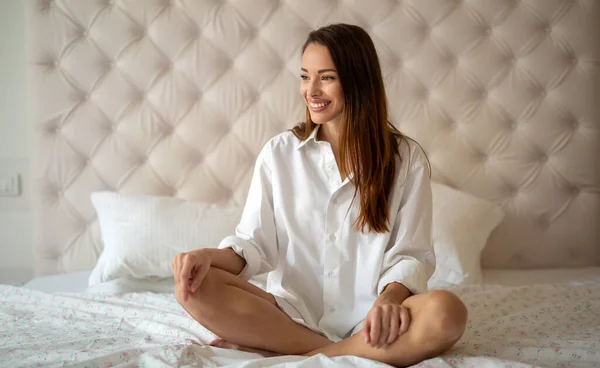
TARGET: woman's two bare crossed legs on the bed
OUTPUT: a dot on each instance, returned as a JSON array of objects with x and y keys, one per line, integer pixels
[{"x": 244, "y": 315}]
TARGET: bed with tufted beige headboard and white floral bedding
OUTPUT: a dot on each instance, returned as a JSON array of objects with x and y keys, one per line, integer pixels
[{"x": 174, "y": 99}]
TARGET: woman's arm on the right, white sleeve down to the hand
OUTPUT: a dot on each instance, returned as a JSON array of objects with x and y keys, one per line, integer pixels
[{"x": 408, "y": 262}]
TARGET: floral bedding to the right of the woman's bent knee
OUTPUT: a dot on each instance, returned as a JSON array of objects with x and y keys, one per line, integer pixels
[{"x": 554, "y": 325}]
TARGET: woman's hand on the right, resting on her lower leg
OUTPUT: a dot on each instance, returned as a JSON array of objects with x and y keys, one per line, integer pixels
[{"x": 384, "y": 323}]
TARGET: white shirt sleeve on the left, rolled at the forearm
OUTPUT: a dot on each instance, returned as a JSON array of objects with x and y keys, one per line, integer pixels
[{"x": 255, "y": 237}]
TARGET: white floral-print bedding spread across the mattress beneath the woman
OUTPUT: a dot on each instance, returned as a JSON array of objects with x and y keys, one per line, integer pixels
[{"x": 543, "y": 325}]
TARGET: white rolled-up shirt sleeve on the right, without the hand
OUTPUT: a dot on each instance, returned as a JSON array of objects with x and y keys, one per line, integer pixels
[{"x": 411, "y": 259}]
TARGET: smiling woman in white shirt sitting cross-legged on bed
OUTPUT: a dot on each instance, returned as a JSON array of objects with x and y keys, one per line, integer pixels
[{"x": 339, "y": 214}]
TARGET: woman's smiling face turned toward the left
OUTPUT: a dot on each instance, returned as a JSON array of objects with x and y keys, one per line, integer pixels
[{"x": 320, "y": 86}]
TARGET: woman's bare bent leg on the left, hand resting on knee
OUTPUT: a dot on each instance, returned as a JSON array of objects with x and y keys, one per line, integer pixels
[{"x": 243, "y": 314}]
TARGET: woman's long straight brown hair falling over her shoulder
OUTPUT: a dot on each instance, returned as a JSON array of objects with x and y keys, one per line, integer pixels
[{"x": 368, "y": 142}]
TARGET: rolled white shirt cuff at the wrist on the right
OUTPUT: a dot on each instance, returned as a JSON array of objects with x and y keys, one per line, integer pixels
[{"x": 409, "y": 272}]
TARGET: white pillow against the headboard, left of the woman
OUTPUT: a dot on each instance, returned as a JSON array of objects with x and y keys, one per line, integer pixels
[{"x": 142, "y": 234}]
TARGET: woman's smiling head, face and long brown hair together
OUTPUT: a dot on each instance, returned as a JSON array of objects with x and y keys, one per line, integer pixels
[{"x": 345, "y": 72}]
